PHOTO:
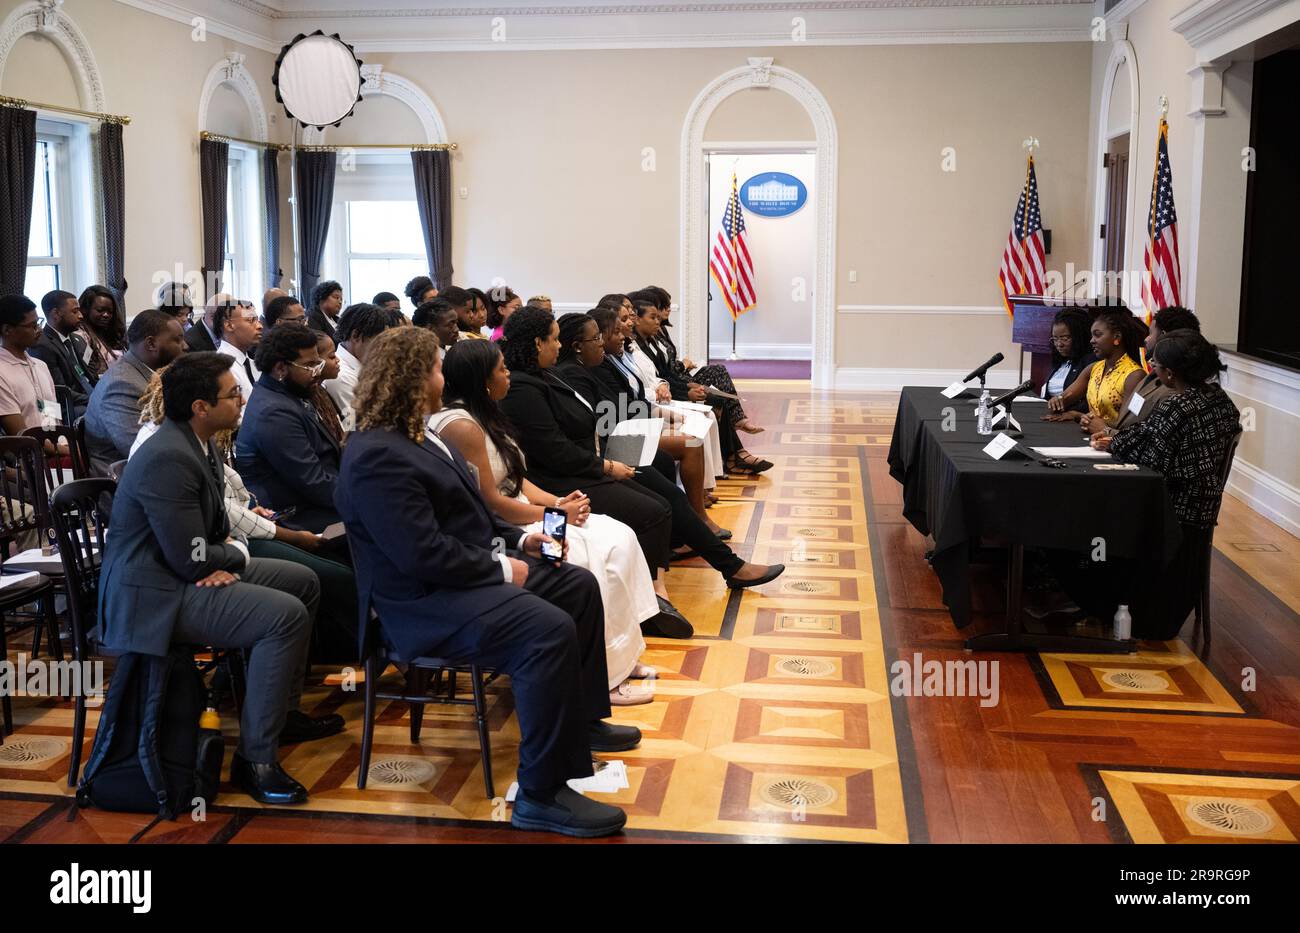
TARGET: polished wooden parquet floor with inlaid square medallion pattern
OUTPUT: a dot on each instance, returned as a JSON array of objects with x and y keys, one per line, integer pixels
[{"x": 778, "y": 723}]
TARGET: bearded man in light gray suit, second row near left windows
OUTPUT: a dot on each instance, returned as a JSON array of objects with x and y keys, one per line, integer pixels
[{"x": 114, "y": 415}]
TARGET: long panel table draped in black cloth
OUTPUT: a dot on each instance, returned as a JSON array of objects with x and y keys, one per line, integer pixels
[{"x": 961, "y": 497}]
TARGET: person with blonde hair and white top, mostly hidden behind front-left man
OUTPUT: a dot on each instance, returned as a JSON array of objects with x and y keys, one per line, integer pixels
[{"x": 335, "y": 639}]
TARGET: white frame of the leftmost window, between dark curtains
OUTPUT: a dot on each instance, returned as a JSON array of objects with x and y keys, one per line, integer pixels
[{"x": 76, "y": 220}]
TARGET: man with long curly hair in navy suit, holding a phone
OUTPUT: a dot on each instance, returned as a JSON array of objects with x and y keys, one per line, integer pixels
[{"x": 449, "y": 579}]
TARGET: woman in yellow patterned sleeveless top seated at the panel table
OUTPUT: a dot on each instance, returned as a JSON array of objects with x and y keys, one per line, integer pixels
[{"x": 1116, "y": 340}]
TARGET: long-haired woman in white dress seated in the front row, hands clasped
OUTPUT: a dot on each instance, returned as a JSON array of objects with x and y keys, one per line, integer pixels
[{"x": 475, "y": 380}]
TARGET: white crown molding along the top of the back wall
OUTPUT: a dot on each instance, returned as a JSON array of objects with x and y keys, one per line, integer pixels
[{"x": 639, "y": 25}]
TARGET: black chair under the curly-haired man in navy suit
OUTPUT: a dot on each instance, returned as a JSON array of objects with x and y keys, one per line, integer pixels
[{"x": 424, "y": 684}]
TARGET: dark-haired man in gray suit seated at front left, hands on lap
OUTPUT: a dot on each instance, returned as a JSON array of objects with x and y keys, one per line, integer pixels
[{"x": 174, "y": 575}]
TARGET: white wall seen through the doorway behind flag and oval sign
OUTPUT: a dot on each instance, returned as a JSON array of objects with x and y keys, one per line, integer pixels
[{"x": 783, "y": 250}]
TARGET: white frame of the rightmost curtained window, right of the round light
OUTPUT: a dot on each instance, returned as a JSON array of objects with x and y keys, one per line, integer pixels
[{"x": 376, "y": 177}]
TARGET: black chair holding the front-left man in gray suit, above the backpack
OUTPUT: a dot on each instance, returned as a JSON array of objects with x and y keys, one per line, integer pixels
[{"x": 80, "y": 514}]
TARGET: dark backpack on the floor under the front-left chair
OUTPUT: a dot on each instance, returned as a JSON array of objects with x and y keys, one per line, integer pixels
[{"x": 150, "y": 756}]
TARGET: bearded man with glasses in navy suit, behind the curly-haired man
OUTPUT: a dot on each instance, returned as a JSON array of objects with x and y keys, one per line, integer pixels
[{"x": 284, "y": 453}]
